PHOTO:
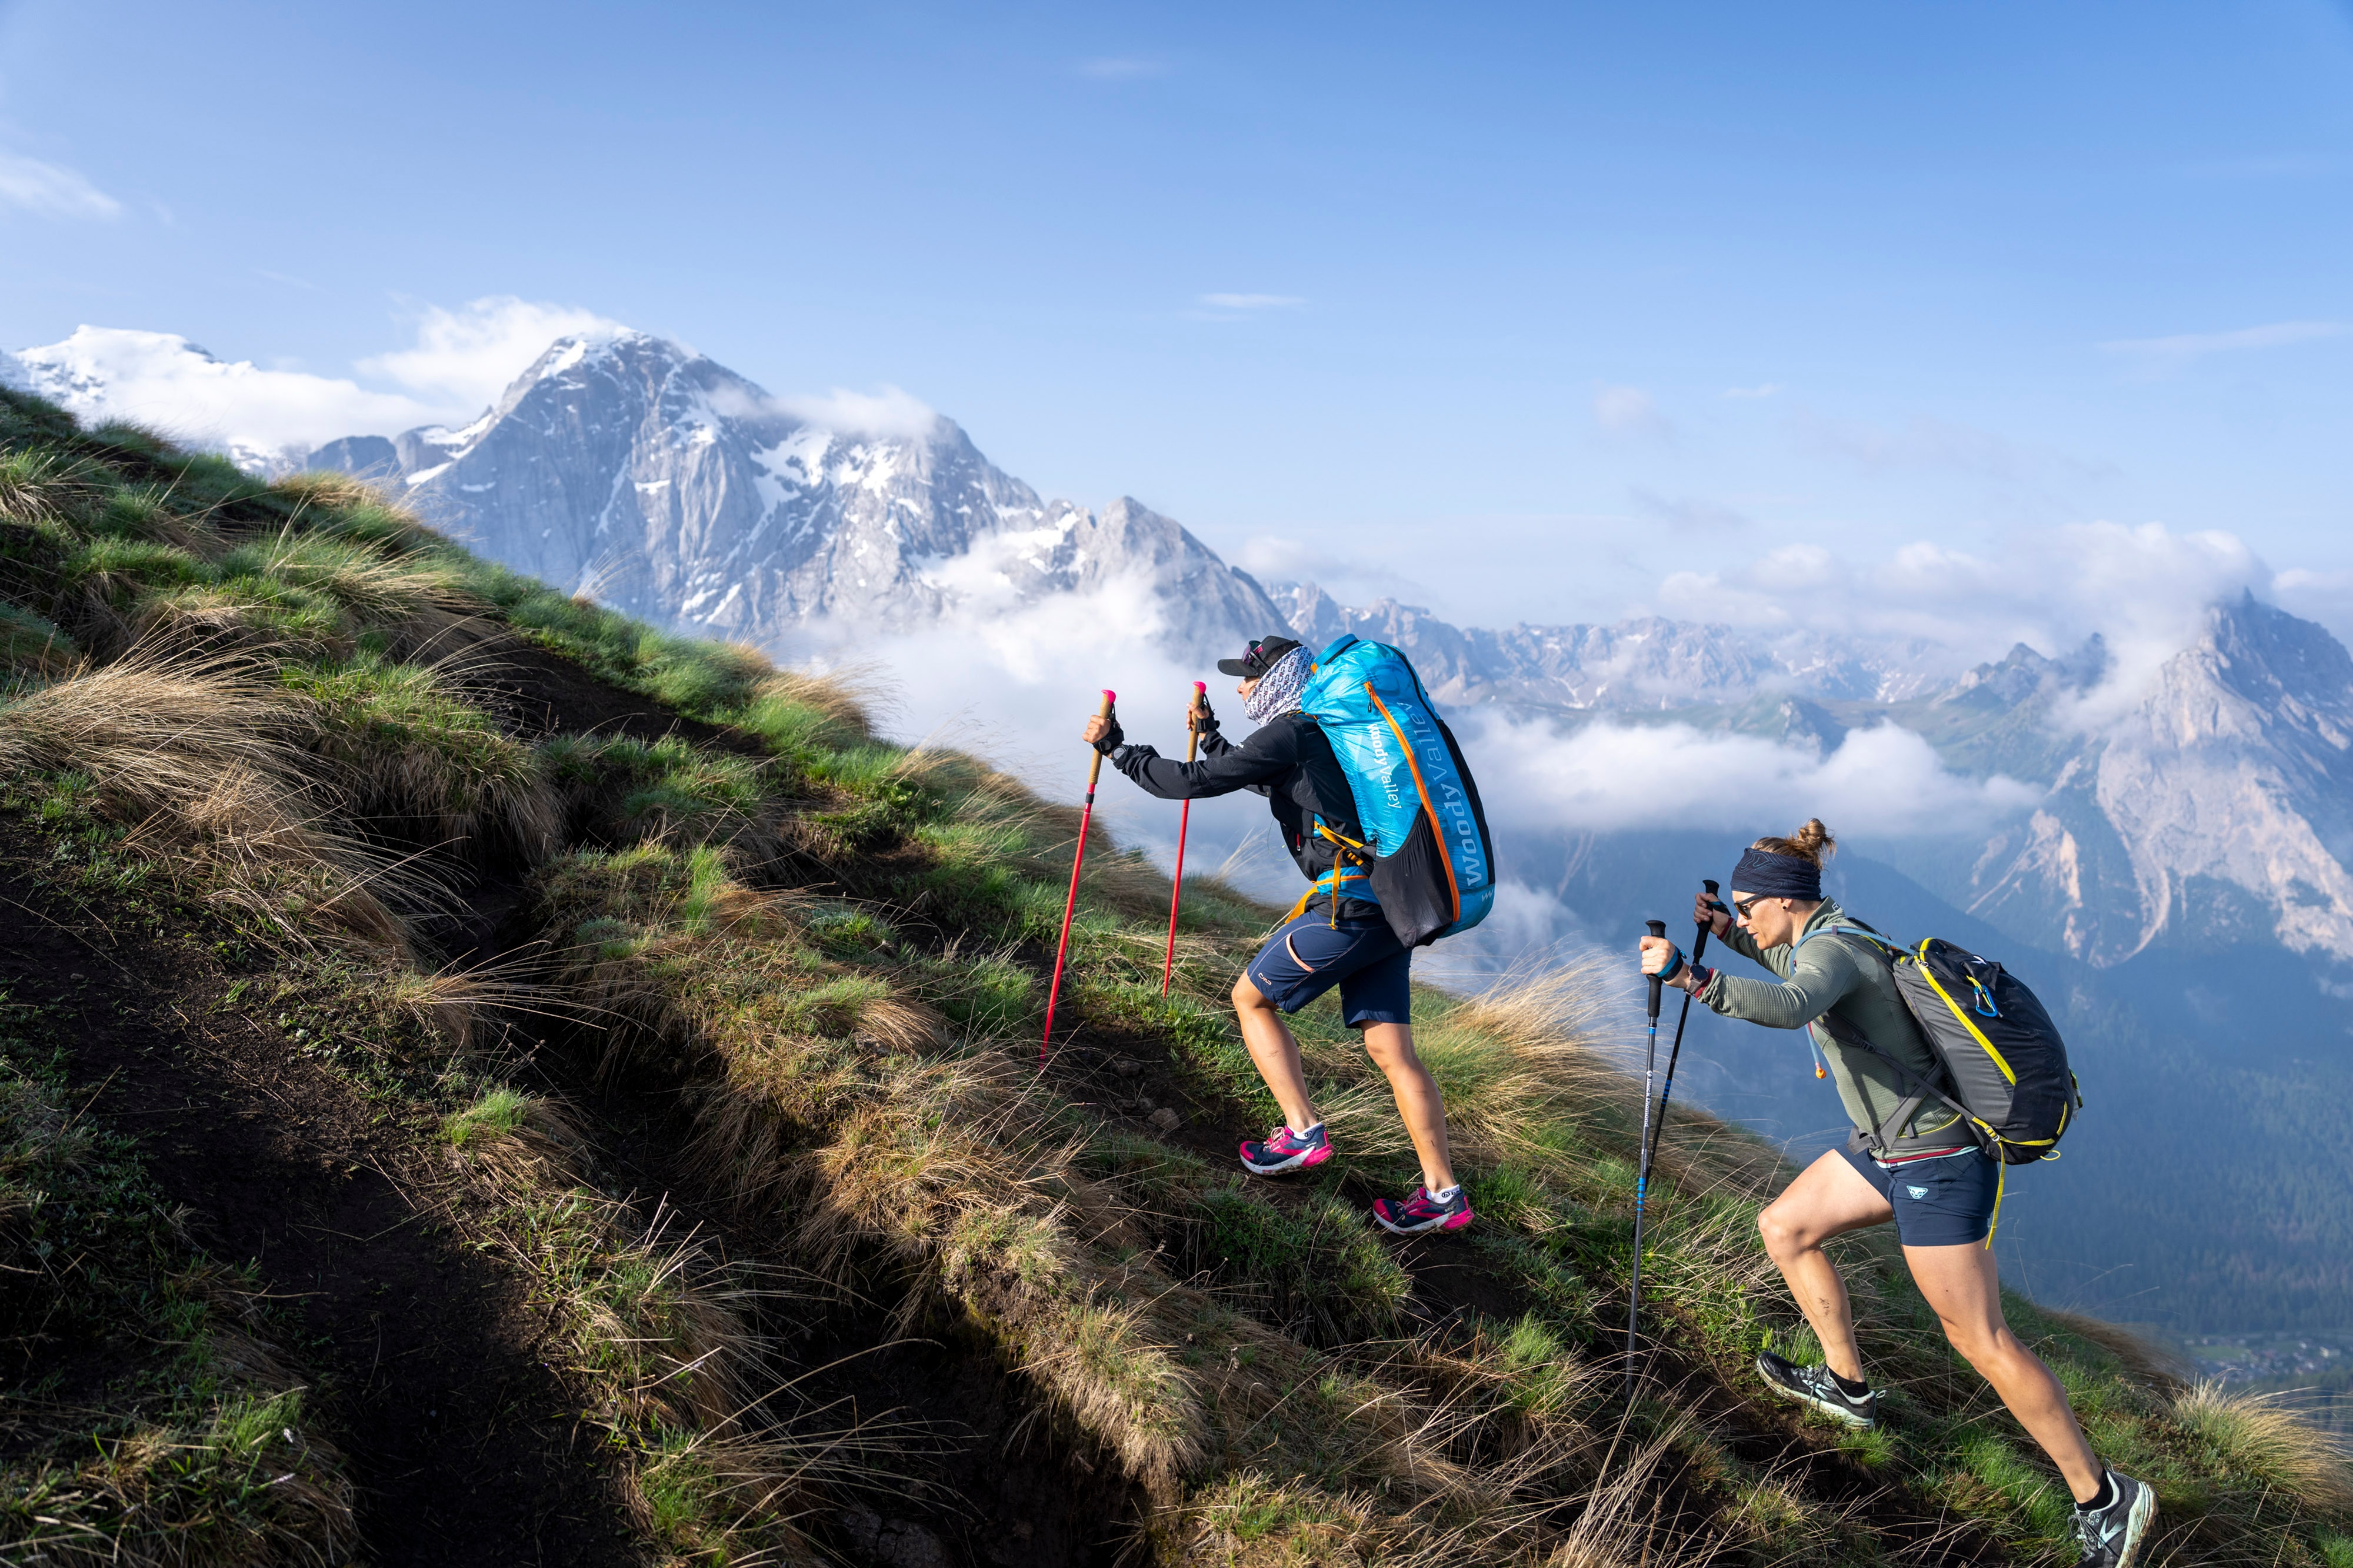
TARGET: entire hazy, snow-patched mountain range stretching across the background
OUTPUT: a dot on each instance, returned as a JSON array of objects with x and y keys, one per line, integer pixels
[{"x": 2180, "y": 886}]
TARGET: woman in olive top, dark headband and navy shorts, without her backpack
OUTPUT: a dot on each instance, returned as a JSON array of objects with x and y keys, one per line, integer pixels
[{"x": 1928, "y": 1176}]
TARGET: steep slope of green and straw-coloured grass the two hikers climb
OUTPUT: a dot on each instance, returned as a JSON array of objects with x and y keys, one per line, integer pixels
[{"x": 288, "y": 712}]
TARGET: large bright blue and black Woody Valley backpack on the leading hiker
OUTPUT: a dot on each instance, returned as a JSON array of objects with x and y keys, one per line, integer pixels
[{"x": 1427, "y": 853}]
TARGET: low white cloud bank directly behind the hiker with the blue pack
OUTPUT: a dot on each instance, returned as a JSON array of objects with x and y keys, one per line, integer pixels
[{"x": 1015, "y": 684}]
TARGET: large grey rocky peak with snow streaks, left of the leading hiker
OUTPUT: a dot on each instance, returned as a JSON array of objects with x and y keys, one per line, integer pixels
[{"x": 646, "y": 474}]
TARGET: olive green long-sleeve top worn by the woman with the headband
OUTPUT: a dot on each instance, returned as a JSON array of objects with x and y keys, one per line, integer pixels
[{"x": 1839, "y": 976}]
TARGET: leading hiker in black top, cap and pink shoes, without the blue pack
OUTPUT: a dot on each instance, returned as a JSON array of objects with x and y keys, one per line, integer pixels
[{"x": 1335, "y": 936}]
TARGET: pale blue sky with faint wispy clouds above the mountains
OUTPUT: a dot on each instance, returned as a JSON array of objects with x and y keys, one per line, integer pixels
[{"x": 1533, "y": 312}]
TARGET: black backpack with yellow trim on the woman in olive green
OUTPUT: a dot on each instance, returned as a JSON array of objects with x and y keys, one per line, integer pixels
[{"x": 2004, "y": 1061}]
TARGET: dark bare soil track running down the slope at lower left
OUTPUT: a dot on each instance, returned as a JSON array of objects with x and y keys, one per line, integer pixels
[{"x": 460, "y": 1440}]
